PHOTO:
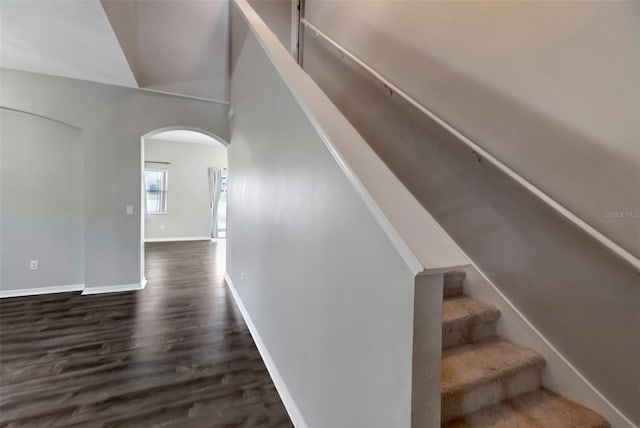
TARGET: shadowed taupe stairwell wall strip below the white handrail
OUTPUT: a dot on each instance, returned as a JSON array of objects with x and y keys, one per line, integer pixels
[{"x": 580, "y": 297}]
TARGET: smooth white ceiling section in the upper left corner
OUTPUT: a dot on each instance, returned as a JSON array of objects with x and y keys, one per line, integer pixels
[{"x": 63, "y": 38}]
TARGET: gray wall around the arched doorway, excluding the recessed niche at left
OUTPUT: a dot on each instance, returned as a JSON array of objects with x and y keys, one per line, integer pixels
[{"x": 113, "y": 120}]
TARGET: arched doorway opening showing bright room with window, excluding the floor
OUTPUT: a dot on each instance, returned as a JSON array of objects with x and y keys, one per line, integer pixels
[{"x": 184, "y": 174}]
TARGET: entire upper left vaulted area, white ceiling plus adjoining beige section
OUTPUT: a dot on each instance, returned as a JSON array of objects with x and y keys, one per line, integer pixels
[{"x": 178, "y": 46}]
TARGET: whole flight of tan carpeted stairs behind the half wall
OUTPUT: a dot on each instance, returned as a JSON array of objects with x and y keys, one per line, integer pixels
[{"x": 490, "y": 382}]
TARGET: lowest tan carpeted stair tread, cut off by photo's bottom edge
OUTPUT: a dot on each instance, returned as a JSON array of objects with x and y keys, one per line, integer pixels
[{"x": 537, "y": 409}]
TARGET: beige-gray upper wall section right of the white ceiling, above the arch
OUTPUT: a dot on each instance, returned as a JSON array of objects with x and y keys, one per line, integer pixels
[{"x": 177, "y": 46}]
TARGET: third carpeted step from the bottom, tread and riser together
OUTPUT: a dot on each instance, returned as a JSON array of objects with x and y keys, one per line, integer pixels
[{"x": 466, "y": 320}]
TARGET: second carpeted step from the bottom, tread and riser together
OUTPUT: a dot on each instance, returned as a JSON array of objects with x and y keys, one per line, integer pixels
[{"x": 485, "y": 373}]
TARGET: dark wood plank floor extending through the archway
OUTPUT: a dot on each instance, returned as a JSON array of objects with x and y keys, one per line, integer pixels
[{"x": 176, "y": 354}]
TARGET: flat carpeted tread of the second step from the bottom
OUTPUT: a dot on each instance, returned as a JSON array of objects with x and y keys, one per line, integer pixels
[{"x": 466, "y": 366}]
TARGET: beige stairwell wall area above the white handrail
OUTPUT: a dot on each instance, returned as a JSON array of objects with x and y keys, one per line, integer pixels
[{"x": 550, "y": 88}]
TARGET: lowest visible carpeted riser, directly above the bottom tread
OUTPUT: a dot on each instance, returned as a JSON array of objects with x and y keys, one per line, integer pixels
[{"x": 462, "y": 403}]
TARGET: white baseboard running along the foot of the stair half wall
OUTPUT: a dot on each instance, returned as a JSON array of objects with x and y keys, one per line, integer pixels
[{"x": 281, "y": 387}]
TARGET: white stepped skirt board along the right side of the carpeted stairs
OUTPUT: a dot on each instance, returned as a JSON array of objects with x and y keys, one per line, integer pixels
[{"x": 559, "y": 375}]
